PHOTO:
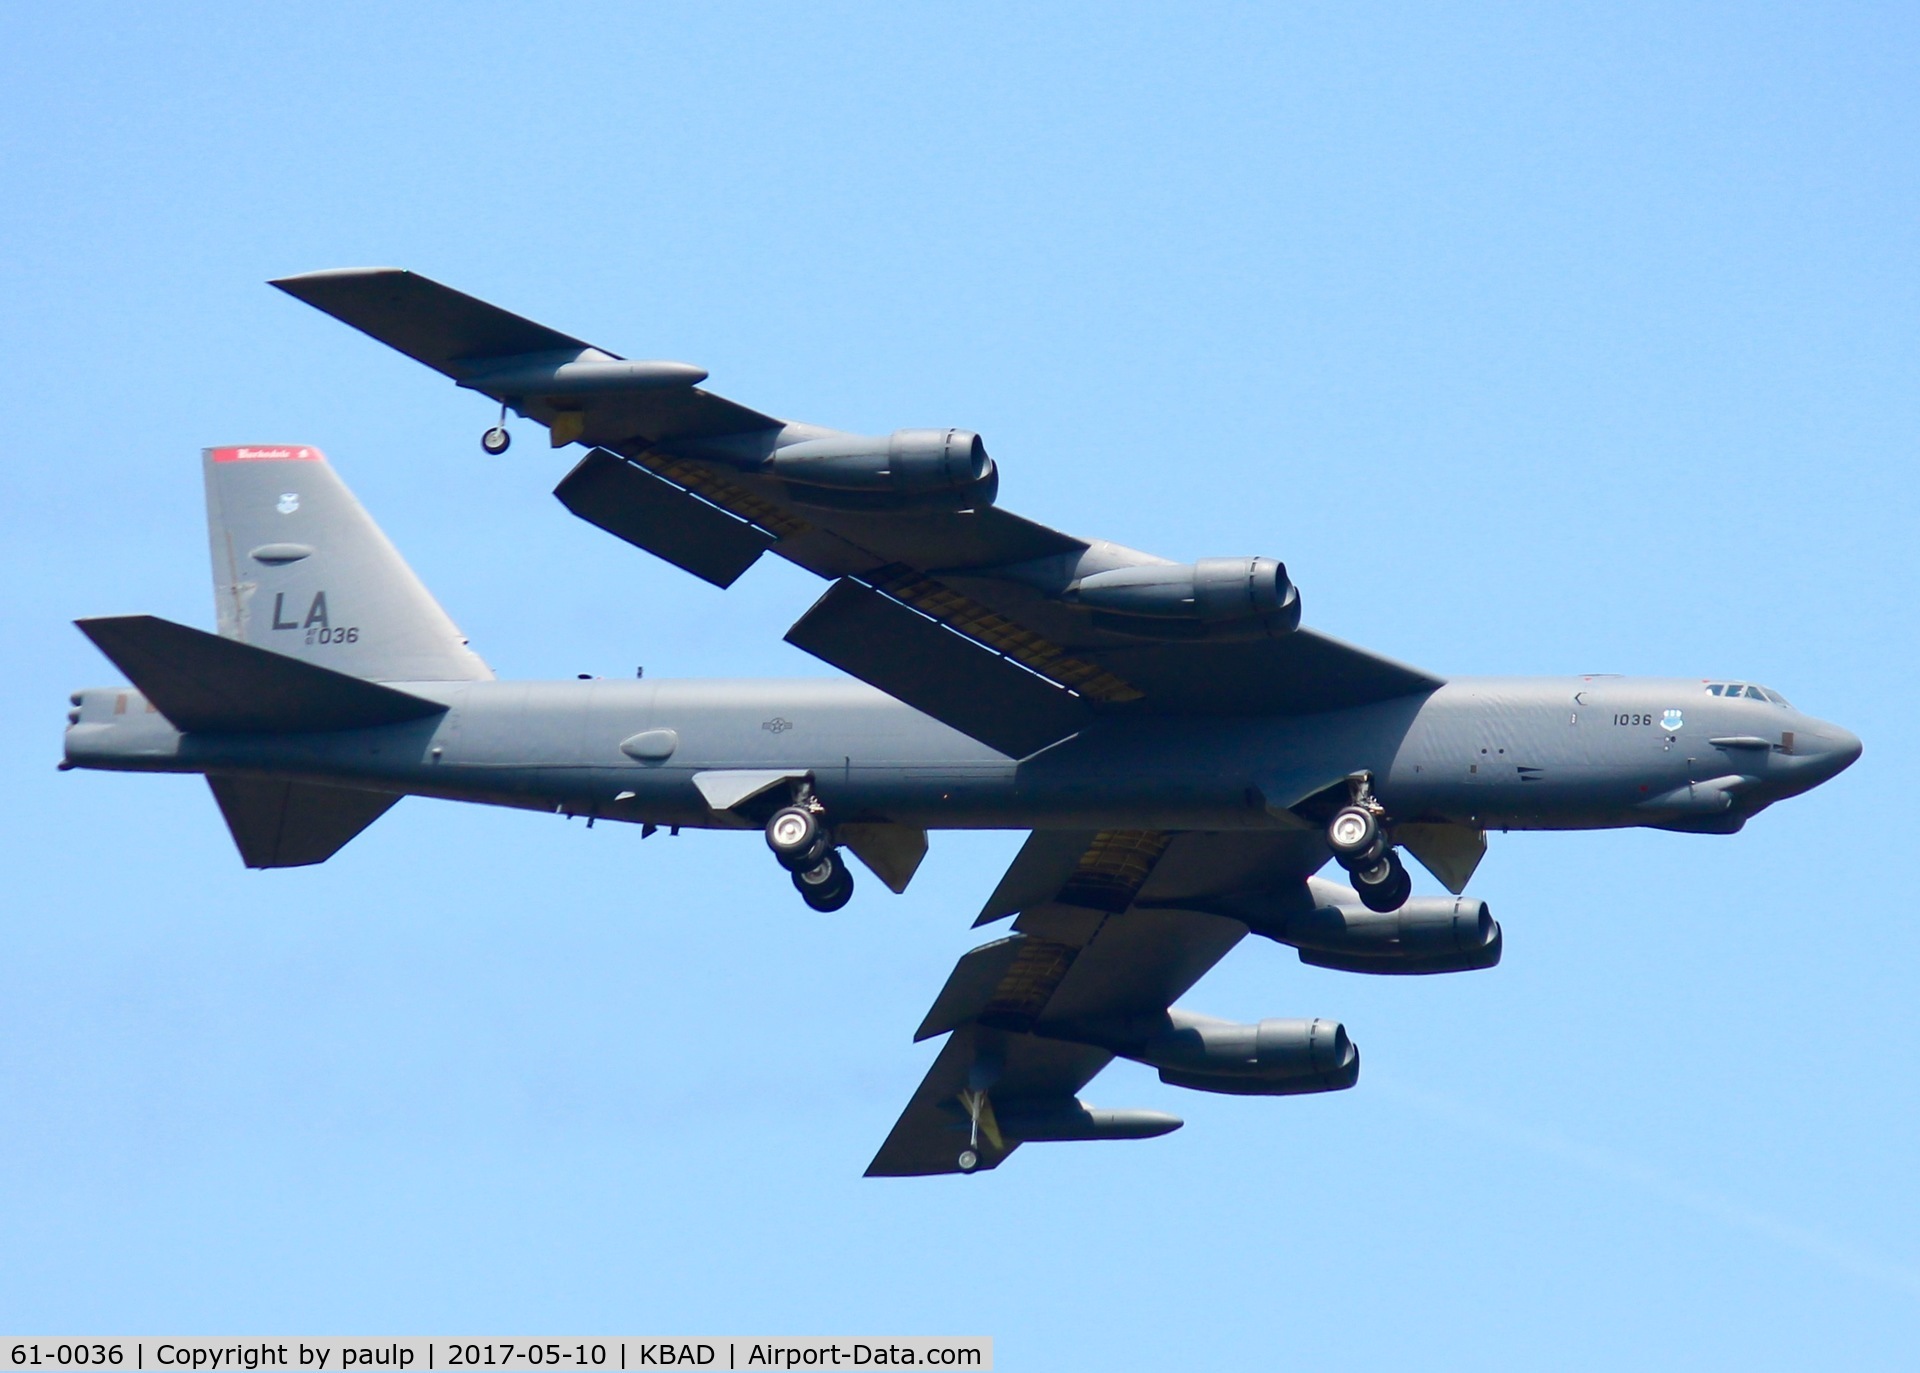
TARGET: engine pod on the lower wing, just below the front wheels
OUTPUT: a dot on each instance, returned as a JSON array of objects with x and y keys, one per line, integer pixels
[{"x": 1426, "y": 936}]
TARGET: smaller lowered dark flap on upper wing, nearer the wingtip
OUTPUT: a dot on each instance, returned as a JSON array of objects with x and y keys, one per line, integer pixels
[{"x": 663, "y": 519}]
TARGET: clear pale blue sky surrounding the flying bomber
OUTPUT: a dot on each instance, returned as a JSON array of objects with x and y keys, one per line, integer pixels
[{"x": 1535, "y": 339}]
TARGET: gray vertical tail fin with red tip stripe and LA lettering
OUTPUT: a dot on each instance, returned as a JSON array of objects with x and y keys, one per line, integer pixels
[{"x": 302, "y": 569}]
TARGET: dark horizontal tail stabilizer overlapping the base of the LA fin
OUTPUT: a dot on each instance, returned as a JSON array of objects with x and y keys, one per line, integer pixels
[{"x": 210, "y": 685}]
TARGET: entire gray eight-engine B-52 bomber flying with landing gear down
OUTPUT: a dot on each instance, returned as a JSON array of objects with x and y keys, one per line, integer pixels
[{"x": 1186, "y": 754}]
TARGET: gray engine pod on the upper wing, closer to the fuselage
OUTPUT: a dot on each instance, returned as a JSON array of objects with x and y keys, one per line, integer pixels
[{"x": 1216, "y": 596}]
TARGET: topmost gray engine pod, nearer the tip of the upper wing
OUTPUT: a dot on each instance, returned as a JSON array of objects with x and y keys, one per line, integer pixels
[{"x": 911, "y": 468}]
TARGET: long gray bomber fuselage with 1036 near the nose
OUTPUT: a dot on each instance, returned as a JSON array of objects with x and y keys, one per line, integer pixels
[{"x": 1499, "y": 754}]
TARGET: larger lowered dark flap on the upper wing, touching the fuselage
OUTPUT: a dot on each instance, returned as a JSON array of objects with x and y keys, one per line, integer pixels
[{"x": 932, "y": 669}]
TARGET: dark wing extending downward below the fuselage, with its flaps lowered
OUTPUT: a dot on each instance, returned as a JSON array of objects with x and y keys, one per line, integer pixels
[{"x": 1109, "y": 927}]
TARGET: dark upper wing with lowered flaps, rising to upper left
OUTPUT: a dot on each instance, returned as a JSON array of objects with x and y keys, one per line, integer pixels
[{"x": 967, "y": 614}]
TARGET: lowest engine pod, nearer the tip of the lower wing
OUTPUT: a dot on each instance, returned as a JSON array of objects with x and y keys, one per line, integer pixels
[{"x": 1272, "y": 1059}]
